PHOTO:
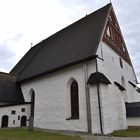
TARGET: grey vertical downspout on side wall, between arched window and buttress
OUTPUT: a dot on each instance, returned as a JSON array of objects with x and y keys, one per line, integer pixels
[{"x": 89, "y": 121}]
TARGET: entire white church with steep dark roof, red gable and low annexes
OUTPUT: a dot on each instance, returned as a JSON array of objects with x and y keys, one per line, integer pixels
[{"x": 79, "y": 79}]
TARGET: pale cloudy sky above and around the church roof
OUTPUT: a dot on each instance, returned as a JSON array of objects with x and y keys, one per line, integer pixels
[{"x": 24, "y": 23}]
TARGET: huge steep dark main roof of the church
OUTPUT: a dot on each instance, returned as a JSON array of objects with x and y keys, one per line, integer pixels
[{"x": 74, "y": 44}]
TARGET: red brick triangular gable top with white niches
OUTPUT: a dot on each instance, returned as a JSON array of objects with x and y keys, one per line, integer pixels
[{"x": 113, "y": 37}]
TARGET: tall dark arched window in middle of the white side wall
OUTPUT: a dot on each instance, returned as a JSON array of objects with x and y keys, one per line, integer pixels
[{"x": 74, "y": 100}]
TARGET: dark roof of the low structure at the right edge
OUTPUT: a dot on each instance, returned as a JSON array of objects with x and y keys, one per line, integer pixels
[{"x": 133, "y": 109}]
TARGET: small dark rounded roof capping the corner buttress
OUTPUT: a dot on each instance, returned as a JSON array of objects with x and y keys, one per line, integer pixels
[{"x": 98, "y": 77}]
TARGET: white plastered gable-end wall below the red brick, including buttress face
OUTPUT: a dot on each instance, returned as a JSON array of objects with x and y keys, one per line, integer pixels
[{"x": 112, "y": 98}]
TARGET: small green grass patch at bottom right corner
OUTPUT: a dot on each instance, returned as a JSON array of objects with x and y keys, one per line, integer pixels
[{"x": 127, "y": 133}]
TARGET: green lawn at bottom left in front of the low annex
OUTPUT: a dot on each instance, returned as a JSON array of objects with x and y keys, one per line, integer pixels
[{"x": 24, "y": 134}]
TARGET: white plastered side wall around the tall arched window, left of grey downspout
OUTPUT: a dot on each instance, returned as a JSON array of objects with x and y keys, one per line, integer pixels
[{"x": 52, "y": 106}]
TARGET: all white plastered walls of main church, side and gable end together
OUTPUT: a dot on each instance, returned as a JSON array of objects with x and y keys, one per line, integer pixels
[{"x": 52, "y": 106}]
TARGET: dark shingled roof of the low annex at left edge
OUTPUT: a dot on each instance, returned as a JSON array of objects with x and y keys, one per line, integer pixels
[{"x": 9, "y": 90}]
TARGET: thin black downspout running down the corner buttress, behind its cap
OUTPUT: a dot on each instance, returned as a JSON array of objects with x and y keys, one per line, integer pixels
[{"x": 99, "y": 102}]
